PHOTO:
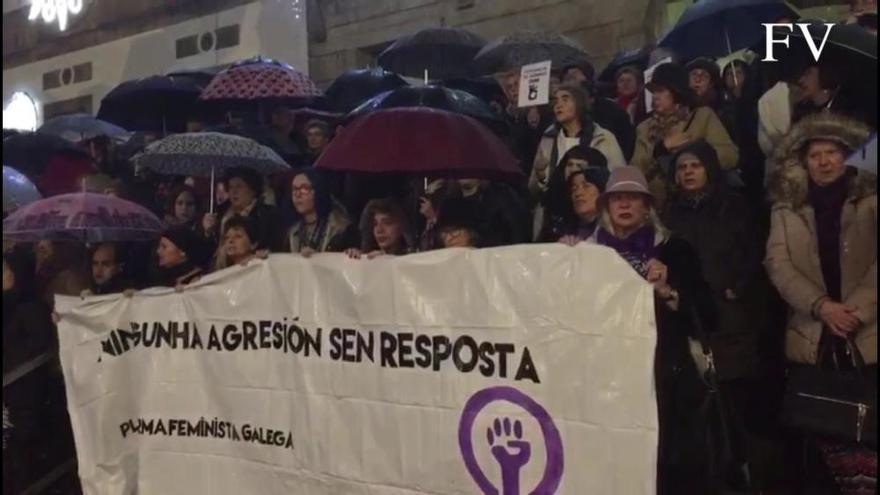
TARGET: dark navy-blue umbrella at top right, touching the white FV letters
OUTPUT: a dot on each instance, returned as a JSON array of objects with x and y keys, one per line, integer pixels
[{"x": 720, "y": 27}]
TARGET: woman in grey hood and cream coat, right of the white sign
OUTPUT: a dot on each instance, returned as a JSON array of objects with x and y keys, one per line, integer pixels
[{"x": 574, "y": 126}]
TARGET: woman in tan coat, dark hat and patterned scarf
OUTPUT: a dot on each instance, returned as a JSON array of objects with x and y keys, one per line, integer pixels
[{"x": 675, "y": 121}]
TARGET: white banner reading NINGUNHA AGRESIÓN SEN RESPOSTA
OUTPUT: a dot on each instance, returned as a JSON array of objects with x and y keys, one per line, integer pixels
[{"x": 516, "y": 370}]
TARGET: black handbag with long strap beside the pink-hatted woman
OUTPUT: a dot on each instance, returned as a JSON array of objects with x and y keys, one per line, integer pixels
[{"x": 721, "y": 435}]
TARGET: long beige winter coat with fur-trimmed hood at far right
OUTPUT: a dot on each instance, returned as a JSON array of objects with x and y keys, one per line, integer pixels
[{"x": 792, "y": 259}]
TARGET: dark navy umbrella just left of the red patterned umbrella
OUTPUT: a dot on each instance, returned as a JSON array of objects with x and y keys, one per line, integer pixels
[{"x": 157, "y": 103}]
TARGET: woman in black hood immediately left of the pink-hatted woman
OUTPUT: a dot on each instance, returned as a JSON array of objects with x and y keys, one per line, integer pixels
[{"x": 571, "y": 208}]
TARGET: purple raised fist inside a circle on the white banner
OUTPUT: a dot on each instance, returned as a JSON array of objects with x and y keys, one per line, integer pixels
[{"x": 505, "y": 438}]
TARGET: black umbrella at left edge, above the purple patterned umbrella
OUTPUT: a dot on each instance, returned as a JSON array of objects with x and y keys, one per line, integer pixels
[{"x": 30, "y": 152}]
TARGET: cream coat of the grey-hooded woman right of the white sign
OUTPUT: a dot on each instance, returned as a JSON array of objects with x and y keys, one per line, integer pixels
[{"x": 548, "y": 156}]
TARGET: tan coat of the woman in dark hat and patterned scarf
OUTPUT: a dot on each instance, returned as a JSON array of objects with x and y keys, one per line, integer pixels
[{"x": 703, "y": 124}]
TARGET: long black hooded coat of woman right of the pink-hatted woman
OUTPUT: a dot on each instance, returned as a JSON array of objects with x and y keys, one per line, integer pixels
[{"x": 720, "y": 229}]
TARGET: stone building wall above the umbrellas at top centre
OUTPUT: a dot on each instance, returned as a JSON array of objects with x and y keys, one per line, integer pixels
[{"x": 350, "y": 33}]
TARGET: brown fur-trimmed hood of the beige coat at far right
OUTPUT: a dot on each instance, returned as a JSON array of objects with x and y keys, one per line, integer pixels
[{"x": 789, "y": 182}]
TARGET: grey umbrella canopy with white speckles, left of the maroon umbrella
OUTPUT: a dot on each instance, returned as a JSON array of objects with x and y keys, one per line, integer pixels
[{"x": 203, "y": 153}]
